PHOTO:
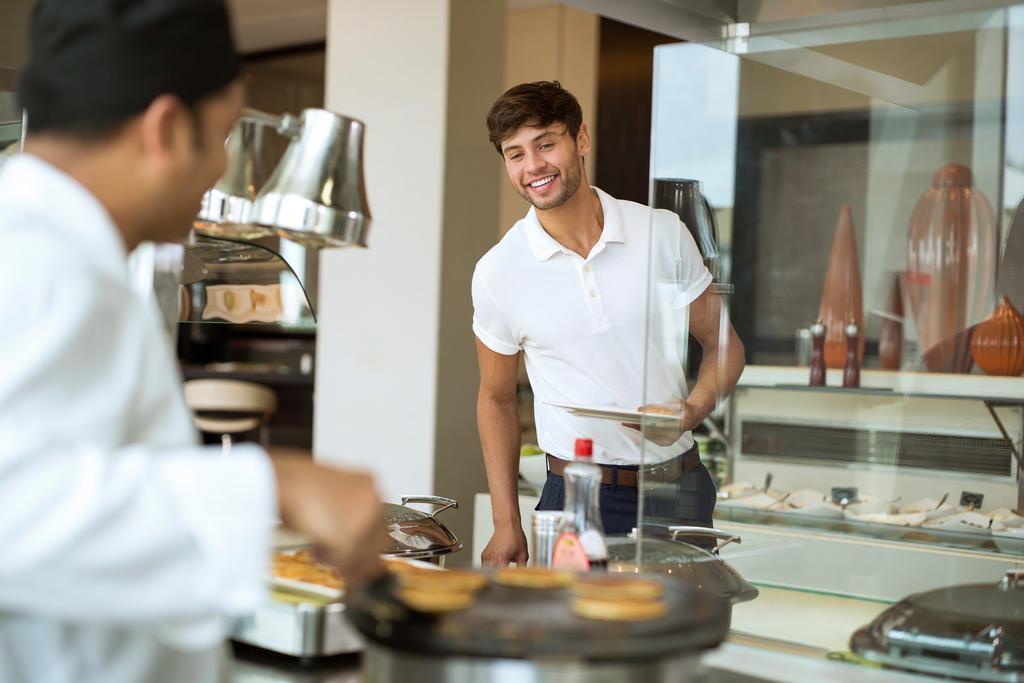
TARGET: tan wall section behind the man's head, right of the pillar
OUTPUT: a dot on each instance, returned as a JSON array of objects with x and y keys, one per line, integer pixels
[{"x": 543, "y": 45}]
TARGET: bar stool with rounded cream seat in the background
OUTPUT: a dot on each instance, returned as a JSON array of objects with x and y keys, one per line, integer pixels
[{"x": 230, "y": 408}]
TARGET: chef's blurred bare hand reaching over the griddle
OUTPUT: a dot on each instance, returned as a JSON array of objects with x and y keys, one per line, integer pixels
[{"x": 339, "y": 509}]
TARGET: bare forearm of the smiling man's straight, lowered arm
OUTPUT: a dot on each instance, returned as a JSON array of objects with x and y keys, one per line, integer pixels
[{"x": 498, "y": 422}]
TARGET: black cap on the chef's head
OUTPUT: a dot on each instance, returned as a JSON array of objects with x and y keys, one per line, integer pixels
[{"x": 94, "y": 64}]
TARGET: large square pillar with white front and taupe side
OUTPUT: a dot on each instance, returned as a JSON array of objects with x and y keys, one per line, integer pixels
[{"x": 397, "y": 372}]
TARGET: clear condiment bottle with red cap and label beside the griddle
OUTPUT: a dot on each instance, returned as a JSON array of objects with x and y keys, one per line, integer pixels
[{"x": 582, "y": 546}]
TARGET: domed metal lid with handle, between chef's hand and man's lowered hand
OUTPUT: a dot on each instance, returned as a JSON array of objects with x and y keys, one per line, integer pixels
[{"x": 417, "y": 535}]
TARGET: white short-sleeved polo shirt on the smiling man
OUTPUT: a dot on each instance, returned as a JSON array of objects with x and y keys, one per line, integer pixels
[{"x": 583, "y": 323}]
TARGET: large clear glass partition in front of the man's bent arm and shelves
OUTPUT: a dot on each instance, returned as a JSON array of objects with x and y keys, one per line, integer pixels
[{"x": 865, "y": 175}]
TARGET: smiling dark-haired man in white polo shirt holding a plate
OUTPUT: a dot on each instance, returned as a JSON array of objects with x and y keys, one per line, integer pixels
[{"x": 568, "y": 287}]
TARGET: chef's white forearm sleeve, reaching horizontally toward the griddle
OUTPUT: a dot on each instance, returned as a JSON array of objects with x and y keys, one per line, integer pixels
[{"x": 135, "y": 536}]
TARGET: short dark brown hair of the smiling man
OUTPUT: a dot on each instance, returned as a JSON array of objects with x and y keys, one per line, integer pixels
[{"x": 540, "y": 104}]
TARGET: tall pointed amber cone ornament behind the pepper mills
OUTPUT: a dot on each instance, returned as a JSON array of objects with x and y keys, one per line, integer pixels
[{"x": 841, "y": 296}]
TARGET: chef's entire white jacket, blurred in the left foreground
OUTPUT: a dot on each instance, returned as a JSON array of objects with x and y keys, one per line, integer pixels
[{"x": 125, "y": 547}]
